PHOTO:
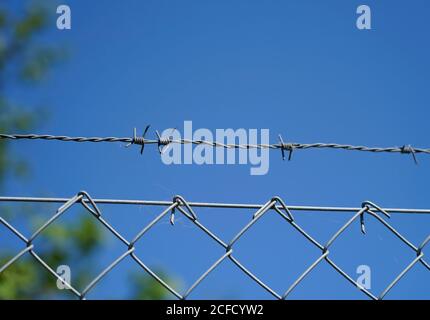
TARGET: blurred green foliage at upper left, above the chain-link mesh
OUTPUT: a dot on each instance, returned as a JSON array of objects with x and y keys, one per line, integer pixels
[{"x": 21, "y": 60}]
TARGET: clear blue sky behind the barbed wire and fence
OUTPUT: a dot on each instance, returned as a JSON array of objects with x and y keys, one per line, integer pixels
[{"x": 299, "y": 68}]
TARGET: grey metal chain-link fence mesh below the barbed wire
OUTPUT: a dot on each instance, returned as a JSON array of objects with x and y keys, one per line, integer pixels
[{"x": 179, "y": 204}]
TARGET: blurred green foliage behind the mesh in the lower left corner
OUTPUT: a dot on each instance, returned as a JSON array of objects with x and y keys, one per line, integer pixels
[{"x": 26, "y": 279}]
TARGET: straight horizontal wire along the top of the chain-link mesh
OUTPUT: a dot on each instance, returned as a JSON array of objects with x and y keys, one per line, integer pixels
[{"x": 333, "y": 209}]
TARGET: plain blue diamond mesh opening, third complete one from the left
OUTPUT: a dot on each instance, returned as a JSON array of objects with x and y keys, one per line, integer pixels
[{"x": 273, "y": 242}]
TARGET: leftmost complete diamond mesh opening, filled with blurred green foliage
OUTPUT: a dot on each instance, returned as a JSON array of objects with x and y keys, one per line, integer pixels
[{"x": 79, "y": 241}]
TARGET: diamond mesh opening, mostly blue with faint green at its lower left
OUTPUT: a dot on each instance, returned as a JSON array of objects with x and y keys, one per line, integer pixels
[{"x": 175, "y": 246}]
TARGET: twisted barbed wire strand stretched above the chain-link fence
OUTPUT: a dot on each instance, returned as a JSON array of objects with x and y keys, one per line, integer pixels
[{"x": 162, "y": 142}]
